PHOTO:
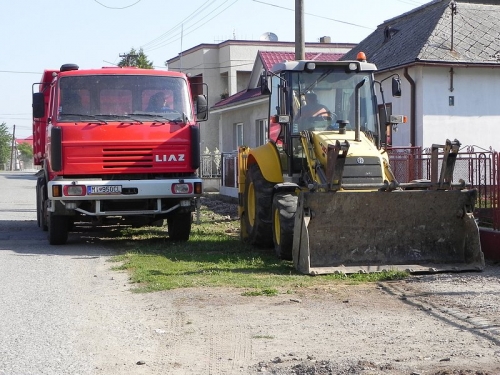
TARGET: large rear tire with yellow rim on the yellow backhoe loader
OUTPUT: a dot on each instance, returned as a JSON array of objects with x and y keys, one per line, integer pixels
[{"x": 258, "y": 199}]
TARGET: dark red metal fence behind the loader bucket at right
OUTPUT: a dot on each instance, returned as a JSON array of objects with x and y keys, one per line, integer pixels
[{"x": 476, "y": 166}]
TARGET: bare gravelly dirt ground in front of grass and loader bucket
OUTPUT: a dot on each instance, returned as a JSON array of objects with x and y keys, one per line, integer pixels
[{"x": 444, "y": 324}]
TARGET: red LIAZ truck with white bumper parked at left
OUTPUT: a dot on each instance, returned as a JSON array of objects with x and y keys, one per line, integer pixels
[{"x": 117, "y": 146}]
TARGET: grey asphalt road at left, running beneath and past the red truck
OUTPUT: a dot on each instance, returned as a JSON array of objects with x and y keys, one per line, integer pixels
[{"x": 61, "y": 307}]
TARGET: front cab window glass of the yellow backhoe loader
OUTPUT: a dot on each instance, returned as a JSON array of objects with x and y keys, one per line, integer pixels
[{"x": 326, "y": 96}]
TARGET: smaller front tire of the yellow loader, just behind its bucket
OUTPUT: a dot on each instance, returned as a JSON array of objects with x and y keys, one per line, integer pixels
[{"x": 284, "y": 209}]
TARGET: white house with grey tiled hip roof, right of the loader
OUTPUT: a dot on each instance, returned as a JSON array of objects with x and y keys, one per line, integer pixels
[{"x": 447, "y": 54}]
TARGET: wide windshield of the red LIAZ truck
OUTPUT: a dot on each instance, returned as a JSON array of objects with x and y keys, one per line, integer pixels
[{"x": 118, "y": 96}]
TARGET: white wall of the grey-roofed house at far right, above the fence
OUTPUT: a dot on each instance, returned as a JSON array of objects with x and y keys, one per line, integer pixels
[{"x": 474, "y": 119}]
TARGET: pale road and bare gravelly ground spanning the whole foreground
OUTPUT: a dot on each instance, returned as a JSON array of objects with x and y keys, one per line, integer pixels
[{"x": 65, "y": 311}]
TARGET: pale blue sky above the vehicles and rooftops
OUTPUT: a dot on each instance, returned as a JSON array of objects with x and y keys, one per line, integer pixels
[{"x": 40, "y": 35}]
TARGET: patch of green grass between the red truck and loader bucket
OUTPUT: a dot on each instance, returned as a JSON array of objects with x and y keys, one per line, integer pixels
[{"x": 214, "y": 257}]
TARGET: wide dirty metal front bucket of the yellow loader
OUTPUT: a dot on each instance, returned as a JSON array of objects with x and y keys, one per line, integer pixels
[{"x": 418, "y": 231}]
